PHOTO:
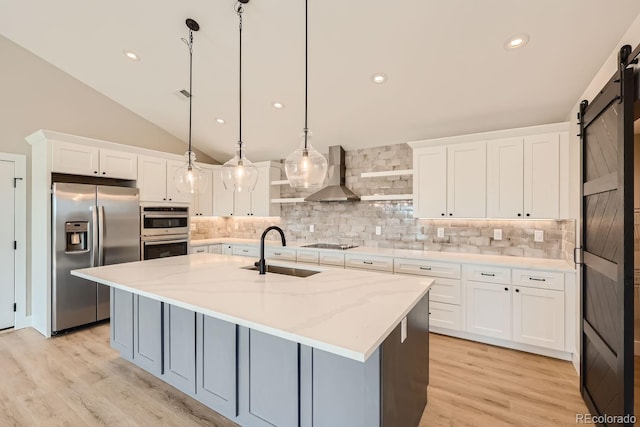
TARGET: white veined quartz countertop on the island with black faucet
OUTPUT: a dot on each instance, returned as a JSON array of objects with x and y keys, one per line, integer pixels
[{"x": 345, "y": 312}]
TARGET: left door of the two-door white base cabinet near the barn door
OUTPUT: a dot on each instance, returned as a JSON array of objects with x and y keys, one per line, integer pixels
[{"x": 488, "y": 309}]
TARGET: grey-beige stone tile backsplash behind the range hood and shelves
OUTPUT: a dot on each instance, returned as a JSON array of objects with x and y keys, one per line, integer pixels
[{"x": 356, "y": 222}]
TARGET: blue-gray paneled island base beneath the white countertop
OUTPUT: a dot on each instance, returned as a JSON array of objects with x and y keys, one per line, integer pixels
[{"x": 256, "y": 378}]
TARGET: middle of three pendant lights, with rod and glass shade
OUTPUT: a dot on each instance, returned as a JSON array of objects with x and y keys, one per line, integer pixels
[{"x": 239, "y": 174}]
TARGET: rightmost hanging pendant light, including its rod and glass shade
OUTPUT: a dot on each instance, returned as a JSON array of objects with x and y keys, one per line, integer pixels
[{"x": 306, "y": 167}]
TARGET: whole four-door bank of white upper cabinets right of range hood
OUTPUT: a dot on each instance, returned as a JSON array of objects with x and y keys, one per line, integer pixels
[{"x": 514, "y": 173}]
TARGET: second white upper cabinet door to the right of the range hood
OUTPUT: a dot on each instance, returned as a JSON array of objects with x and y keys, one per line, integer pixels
[{"x": 467, "y": 180}]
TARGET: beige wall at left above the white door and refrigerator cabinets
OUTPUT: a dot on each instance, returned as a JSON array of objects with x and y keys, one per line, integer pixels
[{"x": 36, "y": 95}]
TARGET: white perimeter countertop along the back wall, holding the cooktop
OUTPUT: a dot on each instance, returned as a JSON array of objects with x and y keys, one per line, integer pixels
[{"x": 458, "y": 257}]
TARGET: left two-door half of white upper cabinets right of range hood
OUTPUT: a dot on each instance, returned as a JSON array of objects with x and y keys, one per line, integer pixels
[{"x": 450, "y": 181}]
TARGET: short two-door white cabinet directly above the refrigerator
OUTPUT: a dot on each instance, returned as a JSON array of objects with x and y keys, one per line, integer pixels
[{"x": 77, "y": 159}]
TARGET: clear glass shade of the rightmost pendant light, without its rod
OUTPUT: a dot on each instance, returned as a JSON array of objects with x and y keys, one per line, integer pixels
[{"x": 306, "y": 167}]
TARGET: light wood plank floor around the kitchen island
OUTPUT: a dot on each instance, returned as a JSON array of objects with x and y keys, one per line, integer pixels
[{"x": 78, "y": 380}]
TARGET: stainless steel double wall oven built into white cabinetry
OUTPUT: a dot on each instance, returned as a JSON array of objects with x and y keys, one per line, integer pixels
[{"x": 164, "y": 231}]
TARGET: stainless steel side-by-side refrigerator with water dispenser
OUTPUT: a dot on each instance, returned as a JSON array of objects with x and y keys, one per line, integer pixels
[{"x": 93, "y": 225}]
